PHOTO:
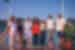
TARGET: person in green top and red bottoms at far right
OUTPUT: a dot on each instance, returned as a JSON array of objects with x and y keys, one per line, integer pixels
[{"x": 69, "y": 36}]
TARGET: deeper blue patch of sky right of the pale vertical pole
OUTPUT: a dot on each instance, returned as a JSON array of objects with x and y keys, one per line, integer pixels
[{"x": 69, "y": 8}]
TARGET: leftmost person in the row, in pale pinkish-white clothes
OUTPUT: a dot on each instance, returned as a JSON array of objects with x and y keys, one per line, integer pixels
[{"x": 11, "y": 30}]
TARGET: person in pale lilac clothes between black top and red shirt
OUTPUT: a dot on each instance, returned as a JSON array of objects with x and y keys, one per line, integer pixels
[{"x": 27, "y": 32}]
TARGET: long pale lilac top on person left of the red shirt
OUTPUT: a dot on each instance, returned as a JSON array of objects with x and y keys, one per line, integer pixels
[{"x": 27, "y": 28}]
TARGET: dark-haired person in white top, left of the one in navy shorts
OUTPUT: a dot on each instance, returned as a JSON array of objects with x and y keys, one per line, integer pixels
[{"x": 50, "y": 29}]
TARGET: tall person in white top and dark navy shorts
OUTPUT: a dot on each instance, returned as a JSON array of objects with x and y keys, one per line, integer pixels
[{"x": 60, "y": 23}]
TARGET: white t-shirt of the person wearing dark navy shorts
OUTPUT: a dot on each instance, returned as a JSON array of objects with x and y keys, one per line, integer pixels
[{"x": 60, "y": 24}]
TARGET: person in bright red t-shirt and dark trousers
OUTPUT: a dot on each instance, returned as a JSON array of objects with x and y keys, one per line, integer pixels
[{"x": 35, "y": 31}]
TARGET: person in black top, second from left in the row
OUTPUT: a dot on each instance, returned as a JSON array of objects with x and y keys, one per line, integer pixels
[{"x": 20, "y": 33}]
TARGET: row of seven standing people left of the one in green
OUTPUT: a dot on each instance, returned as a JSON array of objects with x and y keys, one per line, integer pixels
[{"x": 36, "y": 32}]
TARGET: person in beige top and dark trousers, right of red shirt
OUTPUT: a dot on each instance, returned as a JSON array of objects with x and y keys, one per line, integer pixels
[{"x": 43, "y": 33}]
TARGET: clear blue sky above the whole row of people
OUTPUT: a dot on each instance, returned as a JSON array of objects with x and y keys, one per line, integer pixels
[{"x": 41, "y": 8}]
